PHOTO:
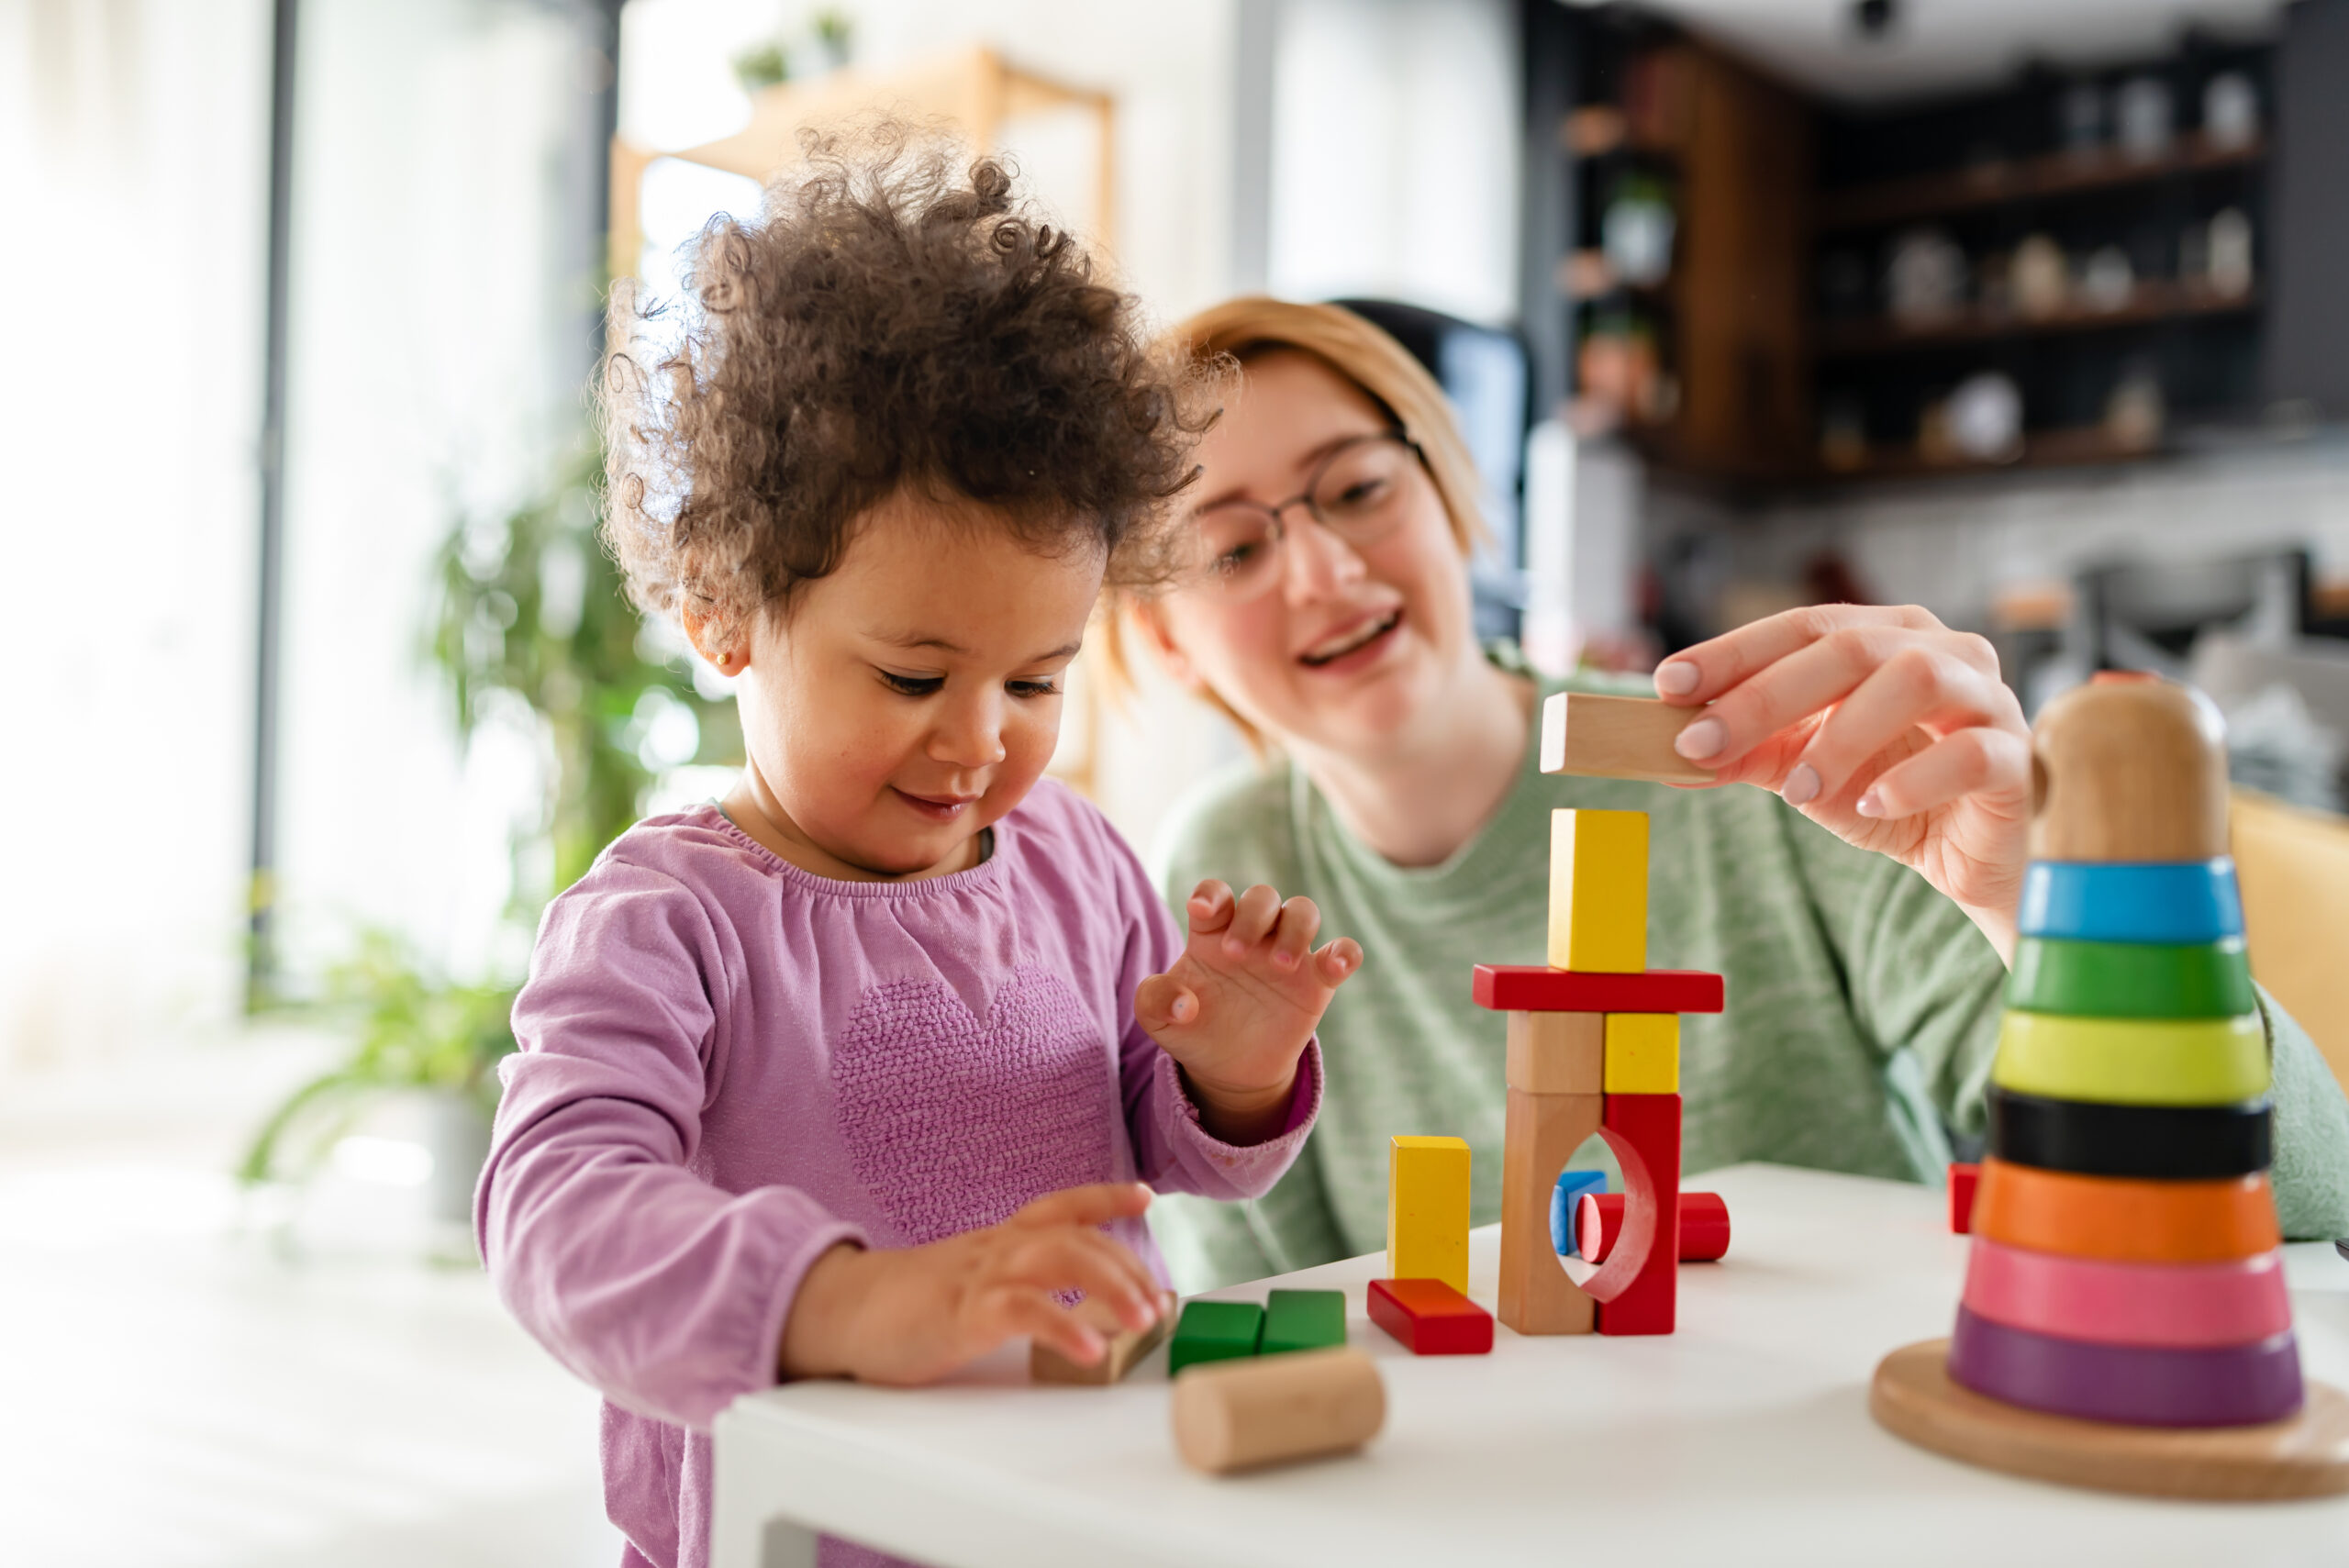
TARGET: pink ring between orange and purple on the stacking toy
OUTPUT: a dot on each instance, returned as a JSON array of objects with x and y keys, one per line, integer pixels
[{"x": 2129, "y": 1304}]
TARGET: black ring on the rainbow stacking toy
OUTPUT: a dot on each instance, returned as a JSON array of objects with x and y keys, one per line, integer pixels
[{"x": 2160, "y": 1142}]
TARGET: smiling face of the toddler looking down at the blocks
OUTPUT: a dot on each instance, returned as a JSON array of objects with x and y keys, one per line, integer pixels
[{"x": 913, "y": 698}]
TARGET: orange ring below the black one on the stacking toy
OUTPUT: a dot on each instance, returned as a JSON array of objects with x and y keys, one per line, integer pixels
[{"x": 2125, "y": 1219}]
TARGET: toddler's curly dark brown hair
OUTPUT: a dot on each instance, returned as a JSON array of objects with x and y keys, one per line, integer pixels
[{"x": 896, "y": 318}]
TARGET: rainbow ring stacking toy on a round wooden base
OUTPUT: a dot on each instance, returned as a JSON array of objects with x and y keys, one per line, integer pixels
[{"x": 2125, "y": 1318}]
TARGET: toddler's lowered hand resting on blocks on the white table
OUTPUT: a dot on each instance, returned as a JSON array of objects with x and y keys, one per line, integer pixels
[{"x": 917, "y": 1313}]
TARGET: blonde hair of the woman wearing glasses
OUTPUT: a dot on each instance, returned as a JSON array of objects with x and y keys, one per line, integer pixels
[{"x": 1359, "y": 353}]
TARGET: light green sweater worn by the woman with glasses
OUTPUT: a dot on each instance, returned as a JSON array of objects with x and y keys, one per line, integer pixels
[{"x": 1864, "y": 1006}]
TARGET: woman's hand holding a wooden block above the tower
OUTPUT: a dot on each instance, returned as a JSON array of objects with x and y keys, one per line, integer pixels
[{"x": 1883, "y": 726}]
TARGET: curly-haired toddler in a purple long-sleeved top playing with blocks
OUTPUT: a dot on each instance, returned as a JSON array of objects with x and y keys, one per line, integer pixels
[{"x": 873, "y": 1067}]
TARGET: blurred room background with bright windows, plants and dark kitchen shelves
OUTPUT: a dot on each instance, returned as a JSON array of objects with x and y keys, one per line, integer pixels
[{"x": 2028, "y": 313}]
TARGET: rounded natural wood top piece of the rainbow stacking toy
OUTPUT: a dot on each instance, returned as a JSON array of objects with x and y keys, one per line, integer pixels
[{"x": 2129, "y": 769}]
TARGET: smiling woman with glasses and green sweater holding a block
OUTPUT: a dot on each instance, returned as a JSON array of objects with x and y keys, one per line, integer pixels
[{"x": 1862, "y": 900}]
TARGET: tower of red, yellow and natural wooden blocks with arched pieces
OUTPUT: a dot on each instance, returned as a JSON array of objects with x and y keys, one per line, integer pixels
[{"x": 1594, "y": 1041}]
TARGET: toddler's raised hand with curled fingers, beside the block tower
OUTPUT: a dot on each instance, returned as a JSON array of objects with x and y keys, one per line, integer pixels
[{"x": 1241, "y": 1003}]
